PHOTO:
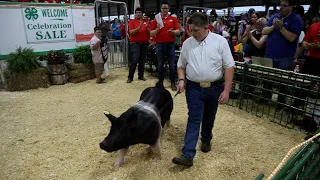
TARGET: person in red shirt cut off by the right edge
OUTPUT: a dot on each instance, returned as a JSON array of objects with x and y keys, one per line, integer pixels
[{"x": 312, "y": 42}]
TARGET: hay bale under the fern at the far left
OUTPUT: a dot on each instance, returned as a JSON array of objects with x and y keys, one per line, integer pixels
[{"x": 20, "y": 82}]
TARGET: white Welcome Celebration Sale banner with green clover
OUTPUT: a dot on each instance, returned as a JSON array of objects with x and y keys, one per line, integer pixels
[{"x": 48, "y": 24}]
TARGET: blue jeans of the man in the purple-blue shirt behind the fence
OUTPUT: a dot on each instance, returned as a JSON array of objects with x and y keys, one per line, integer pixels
[{"x": 283, "y": 63}]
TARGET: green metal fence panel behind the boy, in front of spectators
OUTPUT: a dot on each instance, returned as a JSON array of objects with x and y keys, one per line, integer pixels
[{"x": 287, "y": 98}]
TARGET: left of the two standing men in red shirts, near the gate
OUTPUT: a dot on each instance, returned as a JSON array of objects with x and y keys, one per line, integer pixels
[{"x": 139, "y": 37}]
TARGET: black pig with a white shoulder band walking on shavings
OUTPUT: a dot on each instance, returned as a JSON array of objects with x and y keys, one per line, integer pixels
[{"x": 142, "y": 123}]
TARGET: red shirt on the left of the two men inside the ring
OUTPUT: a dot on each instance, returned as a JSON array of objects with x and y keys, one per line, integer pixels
[{"x": 141, "y": 35}]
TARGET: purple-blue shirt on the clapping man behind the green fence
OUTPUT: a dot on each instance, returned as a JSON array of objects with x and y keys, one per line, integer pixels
[{"x": 277, "y": 45}]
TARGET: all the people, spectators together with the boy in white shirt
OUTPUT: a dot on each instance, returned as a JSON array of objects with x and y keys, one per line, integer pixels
[{"x": 209, "y": 45}]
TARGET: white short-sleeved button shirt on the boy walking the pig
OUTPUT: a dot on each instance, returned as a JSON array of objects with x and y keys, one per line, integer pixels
[{"x": 205, "y": 61}]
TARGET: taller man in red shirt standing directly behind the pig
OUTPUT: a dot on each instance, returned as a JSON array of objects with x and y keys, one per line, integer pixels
[{"x": 165, "y": 38}]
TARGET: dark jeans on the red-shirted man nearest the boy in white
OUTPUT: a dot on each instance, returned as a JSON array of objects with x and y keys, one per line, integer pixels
[{"x": 164, "y": 49}]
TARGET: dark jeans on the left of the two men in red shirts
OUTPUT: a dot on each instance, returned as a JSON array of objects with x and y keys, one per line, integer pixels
[{"x": 138, "y": 55}]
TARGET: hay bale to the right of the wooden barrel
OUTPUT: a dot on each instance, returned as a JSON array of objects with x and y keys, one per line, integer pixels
[{"x": 81, "y": 72}]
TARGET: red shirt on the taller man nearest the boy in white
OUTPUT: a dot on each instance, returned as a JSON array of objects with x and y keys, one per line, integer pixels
[{"x": 163, "y": 35}]
